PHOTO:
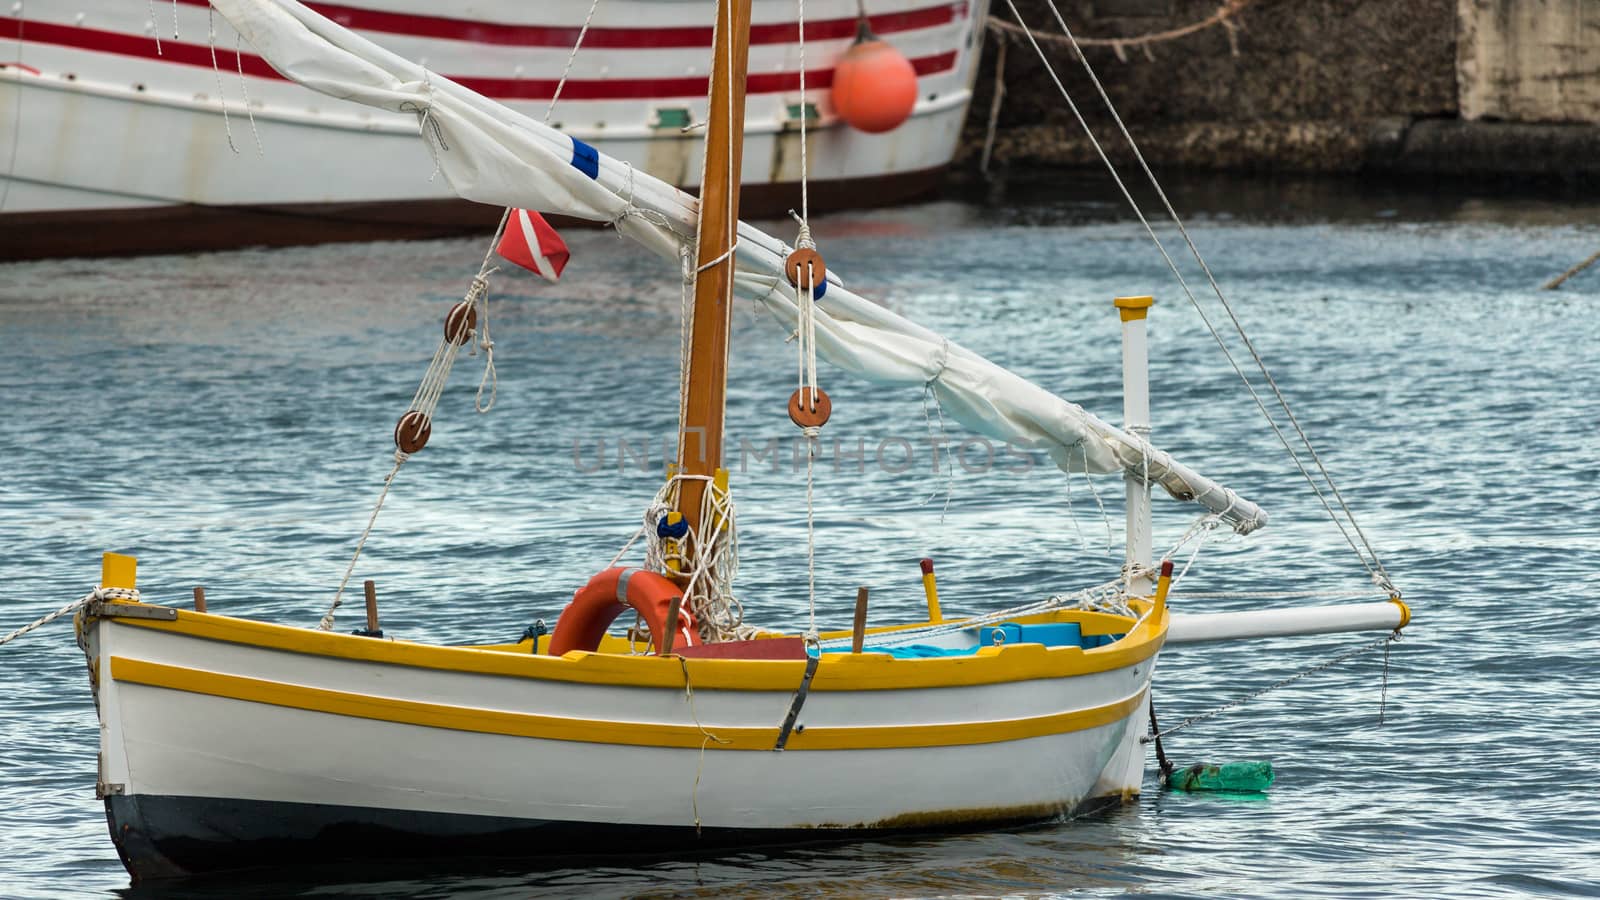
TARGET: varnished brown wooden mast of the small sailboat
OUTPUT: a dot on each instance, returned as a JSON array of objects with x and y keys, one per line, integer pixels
[{"x": 700, "y": 432}]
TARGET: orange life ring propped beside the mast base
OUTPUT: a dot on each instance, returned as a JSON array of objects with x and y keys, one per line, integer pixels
[{"x": 598, "y": 605}]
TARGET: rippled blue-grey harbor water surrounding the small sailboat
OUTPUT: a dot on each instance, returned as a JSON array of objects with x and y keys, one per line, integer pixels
[{"x": 228, "y": 420}]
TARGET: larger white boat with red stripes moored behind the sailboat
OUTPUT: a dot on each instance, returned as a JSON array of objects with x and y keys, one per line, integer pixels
[{"x": 116, "y": 139}]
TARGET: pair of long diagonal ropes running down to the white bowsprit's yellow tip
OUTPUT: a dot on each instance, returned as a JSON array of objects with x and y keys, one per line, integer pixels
[{"x": 1366, "y": 553}]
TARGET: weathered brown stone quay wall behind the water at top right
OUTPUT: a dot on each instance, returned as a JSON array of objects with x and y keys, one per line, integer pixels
[{"x": 1302, "y": 86}]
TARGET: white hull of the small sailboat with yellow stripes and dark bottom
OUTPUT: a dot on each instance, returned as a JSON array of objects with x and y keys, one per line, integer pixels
[{"x": 201, "y": 712}]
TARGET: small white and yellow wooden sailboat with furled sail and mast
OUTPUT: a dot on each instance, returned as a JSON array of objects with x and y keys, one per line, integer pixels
[{"x": 228, "y": 742}]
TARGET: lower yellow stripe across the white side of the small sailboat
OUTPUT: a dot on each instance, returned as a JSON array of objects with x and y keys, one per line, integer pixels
[{"x": 599, "y": 731}]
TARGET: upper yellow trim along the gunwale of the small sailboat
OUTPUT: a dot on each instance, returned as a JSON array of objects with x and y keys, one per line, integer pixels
[{"x": 838, "y": 672}]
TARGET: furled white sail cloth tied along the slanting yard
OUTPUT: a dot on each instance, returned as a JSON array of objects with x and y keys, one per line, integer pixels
[{"x": 497, "y": 156}]
